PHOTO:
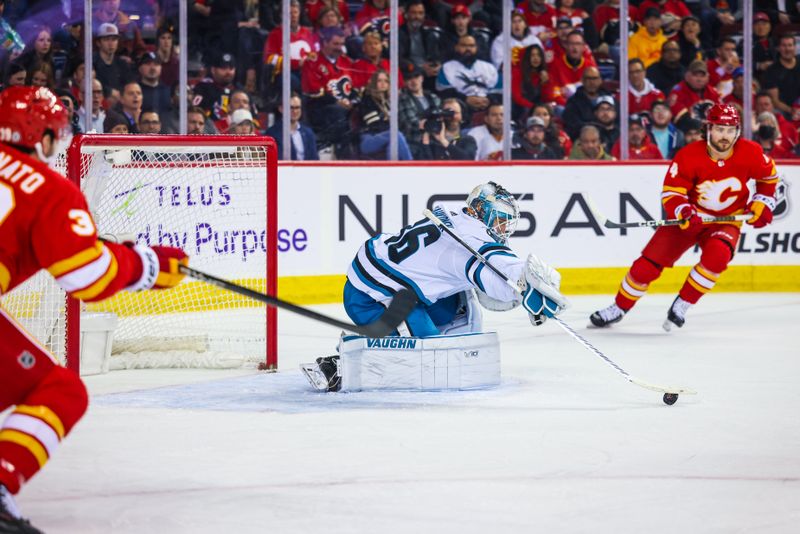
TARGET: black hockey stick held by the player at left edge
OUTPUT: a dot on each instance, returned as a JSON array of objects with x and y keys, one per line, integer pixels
[{"x": 401, "y": 305}]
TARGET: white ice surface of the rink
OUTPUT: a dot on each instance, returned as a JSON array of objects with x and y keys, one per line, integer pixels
[{"x": 565, "y": 444}]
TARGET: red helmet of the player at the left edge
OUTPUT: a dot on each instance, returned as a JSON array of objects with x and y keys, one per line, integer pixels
[{"x": 26, "y": 113}]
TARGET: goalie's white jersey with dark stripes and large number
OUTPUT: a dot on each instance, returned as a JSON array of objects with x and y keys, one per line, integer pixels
[{"x": 432, "y": 264}]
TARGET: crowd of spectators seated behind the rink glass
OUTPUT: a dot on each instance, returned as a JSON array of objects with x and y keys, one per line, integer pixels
[{"x": 683, "y": 56}]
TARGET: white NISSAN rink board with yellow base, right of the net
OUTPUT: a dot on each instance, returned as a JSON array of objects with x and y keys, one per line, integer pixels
[{"x": 326, "y": 211}]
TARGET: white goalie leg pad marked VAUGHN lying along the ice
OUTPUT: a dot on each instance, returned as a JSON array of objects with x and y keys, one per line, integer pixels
[{"x": 408, "y": 363}]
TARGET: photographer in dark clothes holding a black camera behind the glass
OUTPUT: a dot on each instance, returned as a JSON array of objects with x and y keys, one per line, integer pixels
[{"x": 442, "y": 138}]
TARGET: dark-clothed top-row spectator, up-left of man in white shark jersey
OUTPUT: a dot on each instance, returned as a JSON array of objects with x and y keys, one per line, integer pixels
[{"x": 419, "y": 43}]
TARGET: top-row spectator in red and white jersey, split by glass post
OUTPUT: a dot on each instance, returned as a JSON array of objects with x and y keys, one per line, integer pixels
[{"x": 304, "y": 43}]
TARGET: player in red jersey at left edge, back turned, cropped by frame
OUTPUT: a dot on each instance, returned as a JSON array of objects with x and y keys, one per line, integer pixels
[{"x": 45, "y": 224}]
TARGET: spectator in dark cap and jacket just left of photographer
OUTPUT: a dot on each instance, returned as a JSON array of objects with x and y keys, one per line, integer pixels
[{"x": 413, "y": 104}]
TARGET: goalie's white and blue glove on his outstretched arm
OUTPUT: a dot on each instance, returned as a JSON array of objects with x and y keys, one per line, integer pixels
[{"x": 541, "y": 297}]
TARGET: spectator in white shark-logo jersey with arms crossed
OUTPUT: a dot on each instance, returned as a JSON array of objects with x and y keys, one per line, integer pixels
[{"x": 468, "y": 77}]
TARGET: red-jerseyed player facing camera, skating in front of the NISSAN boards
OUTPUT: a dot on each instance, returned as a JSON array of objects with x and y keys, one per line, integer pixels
[{"x": 705, "y": 178}]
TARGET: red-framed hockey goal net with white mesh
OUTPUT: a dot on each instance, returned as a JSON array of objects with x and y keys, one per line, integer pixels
[{"x": 213, "y": 196}]
